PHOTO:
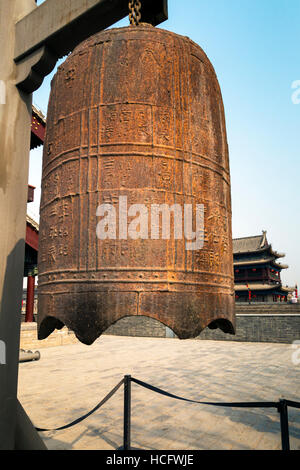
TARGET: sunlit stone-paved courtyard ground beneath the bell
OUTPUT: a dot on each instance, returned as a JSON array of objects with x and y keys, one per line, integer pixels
[{"x": 70, "y": 380}]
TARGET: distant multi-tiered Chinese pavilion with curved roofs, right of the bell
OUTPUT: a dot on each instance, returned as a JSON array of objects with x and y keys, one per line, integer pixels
[{"x": 257, "y": 272}]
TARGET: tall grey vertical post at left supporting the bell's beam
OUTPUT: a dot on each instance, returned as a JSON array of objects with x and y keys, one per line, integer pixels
[{"x": 15, "y": 119}]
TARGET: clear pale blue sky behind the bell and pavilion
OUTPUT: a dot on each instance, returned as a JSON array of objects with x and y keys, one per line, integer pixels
[{"x": 254, "y": 48}]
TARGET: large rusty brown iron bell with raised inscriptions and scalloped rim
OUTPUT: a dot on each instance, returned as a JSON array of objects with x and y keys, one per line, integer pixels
[{"x": 135, "y": 117}]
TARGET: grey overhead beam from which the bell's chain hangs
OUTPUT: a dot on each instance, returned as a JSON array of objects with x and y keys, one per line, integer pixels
[{"x": 54, "y": 28}]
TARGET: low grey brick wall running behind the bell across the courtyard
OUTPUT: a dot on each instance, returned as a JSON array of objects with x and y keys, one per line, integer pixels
[{"x": 255, "y": 323}]
